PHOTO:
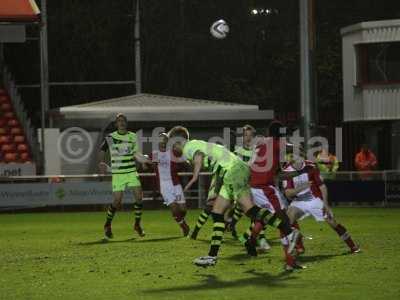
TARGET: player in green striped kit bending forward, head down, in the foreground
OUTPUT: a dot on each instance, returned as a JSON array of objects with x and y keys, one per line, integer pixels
[{"x": 232, "y": 177}]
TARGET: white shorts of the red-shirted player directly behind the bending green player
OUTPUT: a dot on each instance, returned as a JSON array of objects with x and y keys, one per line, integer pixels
[{"x": 269, "y": 197}]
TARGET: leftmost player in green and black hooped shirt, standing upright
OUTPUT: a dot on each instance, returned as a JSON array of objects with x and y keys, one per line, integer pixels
[{"x": 123, "y": 149}]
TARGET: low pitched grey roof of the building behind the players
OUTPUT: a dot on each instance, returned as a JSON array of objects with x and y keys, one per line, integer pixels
[{"x": 148, "y": 108}]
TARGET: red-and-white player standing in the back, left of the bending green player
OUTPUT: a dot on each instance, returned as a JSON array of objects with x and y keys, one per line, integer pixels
[{"x": 167, "y": 169}]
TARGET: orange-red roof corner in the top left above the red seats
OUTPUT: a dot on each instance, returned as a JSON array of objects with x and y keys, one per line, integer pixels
[{"x": 19, "y": 11}]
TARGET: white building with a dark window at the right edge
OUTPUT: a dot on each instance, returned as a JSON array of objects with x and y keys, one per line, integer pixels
[{"x": 371, "y": 85}]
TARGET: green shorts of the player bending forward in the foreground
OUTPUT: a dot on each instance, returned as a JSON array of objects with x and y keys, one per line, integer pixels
[{"x": 234, "y": 183}]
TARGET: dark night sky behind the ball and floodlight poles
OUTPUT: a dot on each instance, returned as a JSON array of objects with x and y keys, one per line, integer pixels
[{"x": 257, "y": 63}]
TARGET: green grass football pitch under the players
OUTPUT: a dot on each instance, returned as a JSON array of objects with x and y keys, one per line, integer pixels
[{"x": 59, "y": 256}]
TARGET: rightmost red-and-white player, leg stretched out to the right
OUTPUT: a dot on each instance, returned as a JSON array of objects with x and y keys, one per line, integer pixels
[{"x": 309, "y": 197}]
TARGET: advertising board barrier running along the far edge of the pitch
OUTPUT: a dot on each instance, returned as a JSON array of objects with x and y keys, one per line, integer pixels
[{"x": 347, "y": 188}]
